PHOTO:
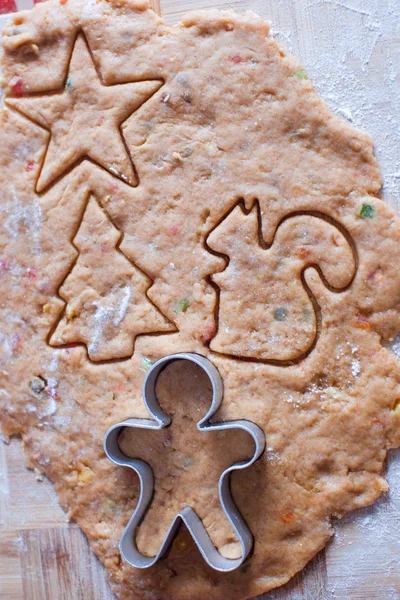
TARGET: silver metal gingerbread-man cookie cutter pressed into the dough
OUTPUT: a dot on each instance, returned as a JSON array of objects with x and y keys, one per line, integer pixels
[{"x": 211, "y": 555}]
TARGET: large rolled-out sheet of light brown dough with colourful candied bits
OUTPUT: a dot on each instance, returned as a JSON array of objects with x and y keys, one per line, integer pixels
[{"x": 185, "y": 189}]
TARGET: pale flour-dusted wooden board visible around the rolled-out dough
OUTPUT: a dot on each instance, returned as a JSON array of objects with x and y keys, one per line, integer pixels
[{"x": 42, "y": 557}]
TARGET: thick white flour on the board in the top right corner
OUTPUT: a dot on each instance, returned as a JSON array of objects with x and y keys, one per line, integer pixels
[{"x": 354, "y": 63}]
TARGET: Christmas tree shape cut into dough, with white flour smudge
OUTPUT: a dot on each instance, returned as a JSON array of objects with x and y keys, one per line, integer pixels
[{"x": 107, "y": 306}]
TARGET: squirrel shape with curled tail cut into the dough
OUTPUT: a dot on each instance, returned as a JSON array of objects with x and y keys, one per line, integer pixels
[{"x": 266, "y": 310}]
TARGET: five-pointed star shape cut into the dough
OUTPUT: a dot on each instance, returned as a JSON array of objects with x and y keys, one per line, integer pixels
[{"x": 84, "y": 119}]
